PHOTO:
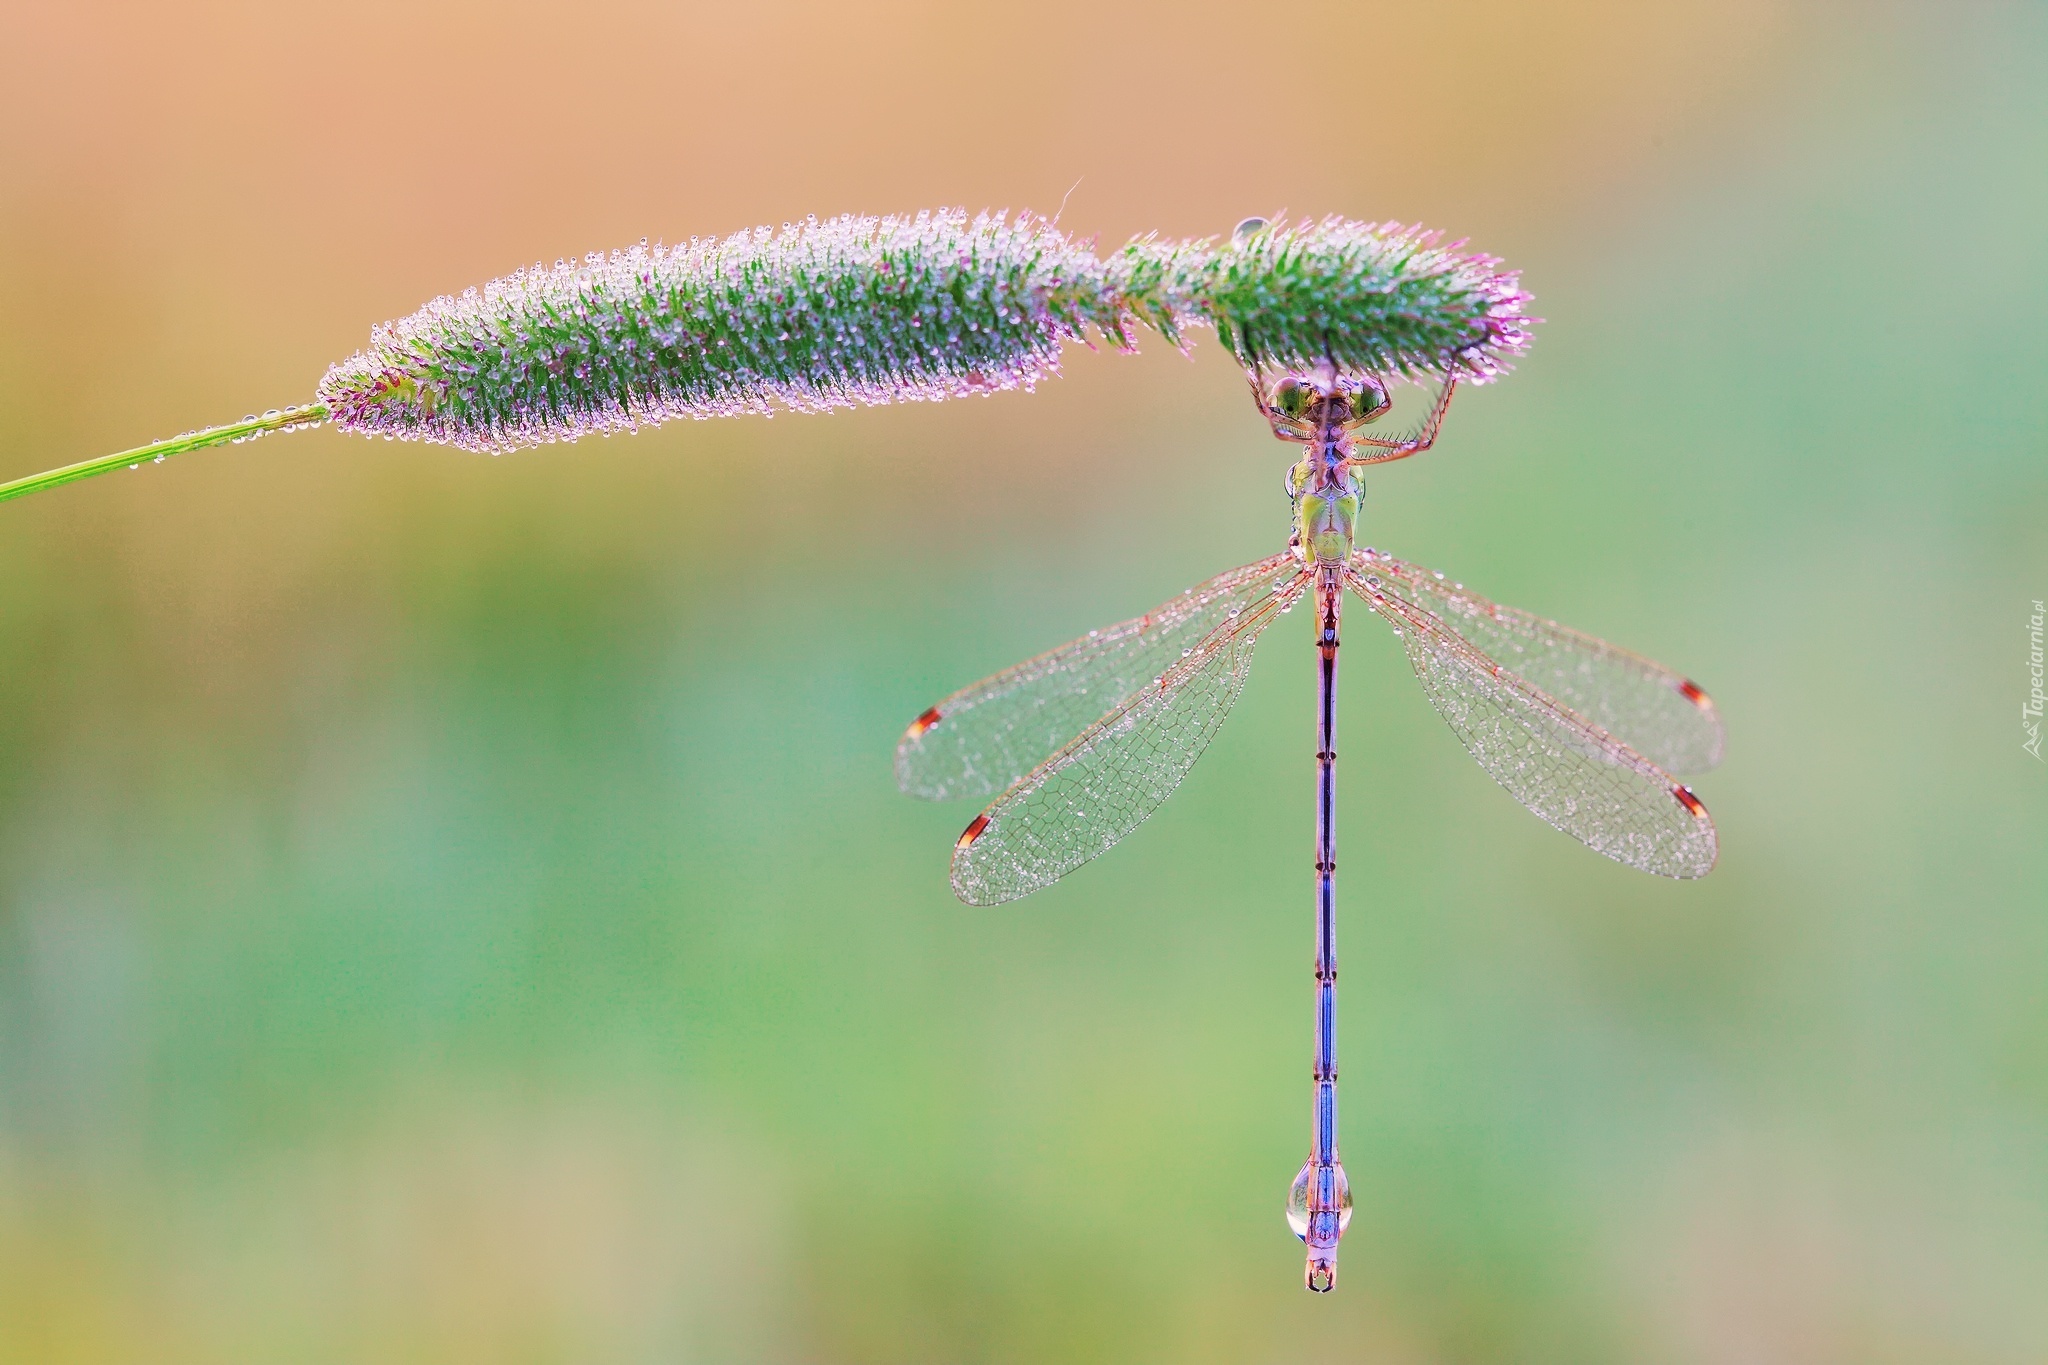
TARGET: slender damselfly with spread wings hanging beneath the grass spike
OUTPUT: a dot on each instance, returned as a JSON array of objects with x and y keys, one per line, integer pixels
[{"x": 1078, "y": 746}]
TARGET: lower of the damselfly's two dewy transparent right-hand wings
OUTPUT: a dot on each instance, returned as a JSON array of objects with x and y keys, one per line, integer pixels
[{"x": 1553, "y": 760}]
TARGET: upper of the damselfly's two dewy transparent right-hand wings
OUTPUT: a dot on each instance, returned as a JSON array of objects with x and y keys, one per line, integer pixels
[{"x": 1658, "y": 713}]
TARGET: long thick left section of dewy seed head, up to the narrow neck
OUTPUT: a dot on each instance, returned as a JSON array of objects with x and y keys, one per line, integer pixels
[{"x": 824, "y": 314}]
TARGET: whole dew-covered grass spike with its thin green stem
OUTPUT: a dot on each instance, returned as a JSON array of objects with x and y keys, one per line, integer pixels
[{"x": 880, "y": 310}]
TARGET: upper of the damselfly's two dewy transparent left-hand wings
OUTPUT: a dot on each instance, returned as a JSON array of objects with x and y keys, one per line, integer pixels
[{"x": 984, "y": 738}]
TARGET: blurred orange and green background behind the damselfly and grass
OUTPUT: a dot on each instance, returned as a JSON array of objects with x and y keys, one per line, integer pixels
[{"x": 460, "y": 910}]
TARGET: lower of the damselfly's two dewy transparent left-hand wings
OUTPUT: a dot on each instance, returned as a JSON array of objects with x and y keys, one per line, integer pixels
[{"x": 1101, "y": 787}]
